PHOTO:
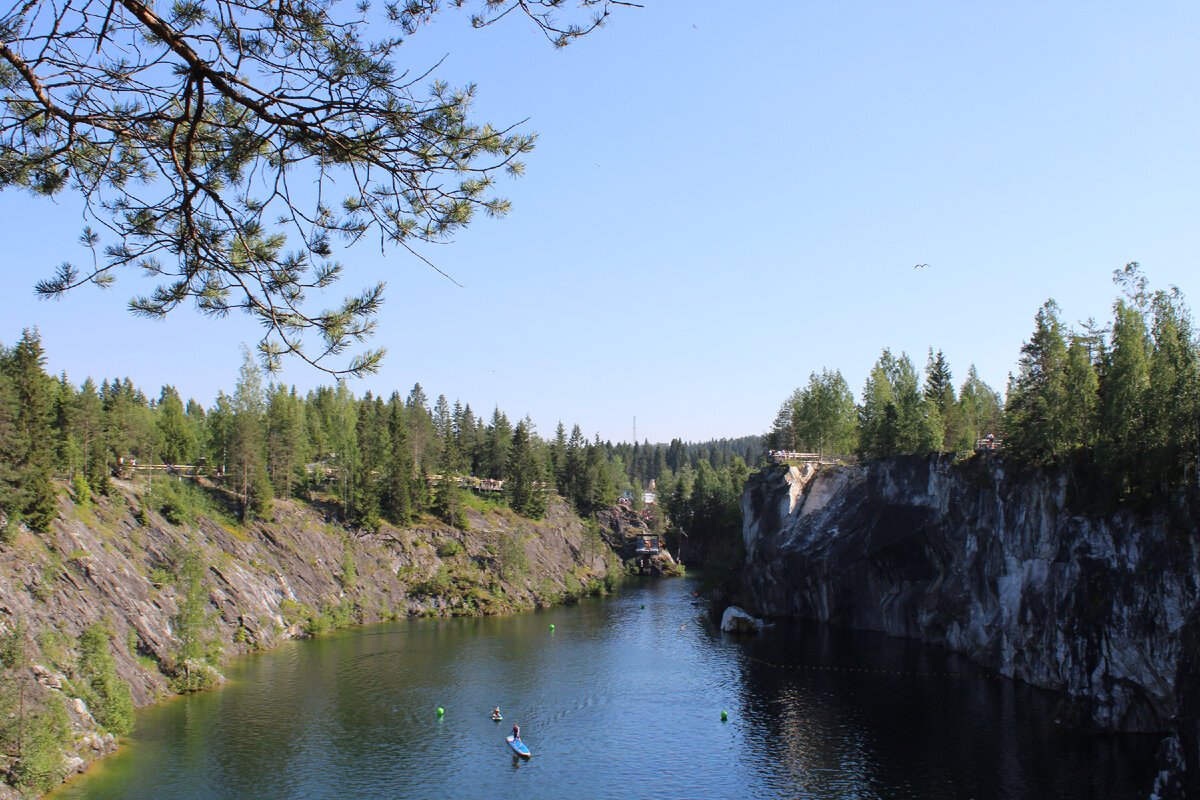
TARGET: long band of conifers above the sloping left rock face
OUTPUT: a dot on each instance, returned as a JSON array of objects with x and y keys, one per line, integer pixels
[{"x": 375, "y": 459}]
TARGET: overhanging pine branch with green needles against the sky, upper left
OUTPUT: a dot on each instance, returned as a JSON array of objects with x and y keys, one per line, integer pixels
[{"x": 179, "y": 129}]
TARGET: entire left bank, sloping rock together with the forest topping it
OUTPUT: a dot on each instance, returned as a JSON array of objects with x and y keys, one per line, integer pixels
[{"x": 327, "y": 492}]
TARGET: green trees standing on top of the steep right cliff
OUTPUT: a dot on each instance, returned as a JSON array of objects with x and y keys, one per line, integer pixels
[{"x": 1118, "y": 406}]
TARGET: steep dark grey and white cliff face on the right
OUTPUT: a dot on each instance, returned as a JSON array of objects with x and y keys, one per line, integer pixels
[{"x": 995, "y": 567}]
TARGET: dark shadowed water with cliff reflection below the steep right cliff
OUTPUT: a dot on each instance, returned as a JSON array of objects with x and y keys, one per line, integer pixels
[{"x": 854, "y": 714}]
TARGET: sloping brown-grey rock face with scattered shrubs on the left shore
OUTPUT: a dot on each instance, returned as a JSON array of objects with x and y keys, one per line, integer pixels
[{"x": 293, "y": 576}]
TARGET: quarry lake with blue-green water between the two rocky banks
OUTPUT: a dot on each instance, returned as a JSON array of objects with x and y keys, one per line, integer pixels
[{"x": 622, "y": 699}]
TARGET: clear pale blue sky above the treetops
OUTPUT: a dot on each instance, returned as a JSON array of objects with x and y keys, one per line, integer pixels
[{"x": 727, "y": 197}]
